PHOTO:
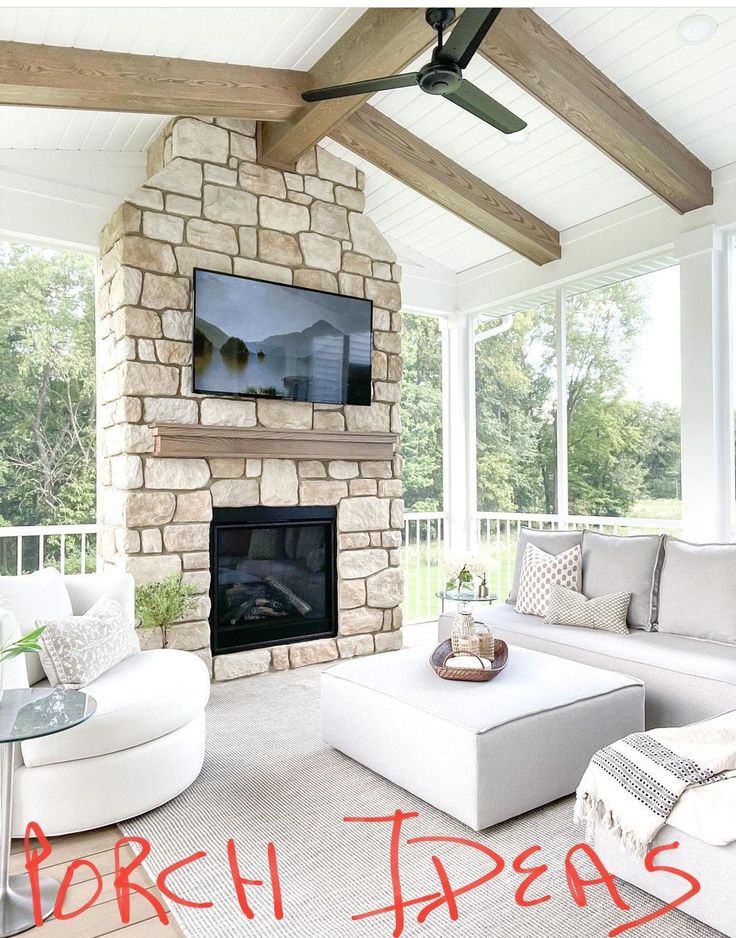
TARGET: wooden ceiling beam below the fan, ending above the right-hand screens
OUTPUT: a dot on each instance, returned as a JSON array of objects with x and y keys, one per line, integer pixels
[{"x": 381, "y": 141}]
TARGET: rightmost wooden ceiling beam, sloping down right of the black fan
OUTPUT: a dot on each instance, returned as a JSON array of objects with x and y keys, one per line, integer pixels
[{"x": 523, "y": 46}]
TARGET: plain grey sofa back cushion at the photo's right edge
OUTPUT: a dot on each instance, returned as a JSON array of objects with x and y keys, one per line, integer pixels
[{"x": 698, "y": 590}]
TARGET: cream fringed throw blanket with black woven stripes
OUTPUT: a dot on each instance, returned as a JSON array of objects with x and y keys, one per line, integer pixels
[{"x": 632, "y": 786}]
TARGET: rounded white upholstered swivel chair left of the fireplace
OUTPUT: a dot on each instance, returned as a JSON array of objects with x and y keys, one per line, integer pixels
[{"x": 143, "y": 746}]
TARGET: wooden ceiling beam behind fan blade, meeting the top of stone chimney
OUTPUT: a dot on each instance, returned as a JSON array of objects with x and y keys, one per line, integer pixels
[{"x": 382, "y": 42}]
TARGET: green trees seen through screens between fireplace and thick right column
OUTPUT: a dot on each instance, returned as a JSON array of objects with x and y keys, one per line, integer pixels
[{"x": 620, "y": 451}]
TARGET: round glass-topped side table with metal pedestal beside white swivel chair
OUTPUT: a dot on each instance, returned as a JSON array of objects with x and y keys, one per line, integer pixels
[{"x": 28, "y": 713}]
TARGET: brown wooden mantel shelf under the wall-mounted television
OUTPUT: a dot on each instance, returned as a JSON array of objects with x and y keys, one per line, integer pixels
[{"x": 194, "y": 441}]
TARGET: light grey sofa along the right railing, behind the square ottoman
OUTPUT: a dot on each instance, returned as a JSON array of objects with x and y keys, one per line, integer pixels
[{"x": 687, "y": 678}]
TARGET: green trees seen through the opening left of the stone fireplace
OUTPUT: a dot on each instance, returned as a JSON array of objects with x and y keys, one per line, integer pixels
[{"x": 47, "y": 386}]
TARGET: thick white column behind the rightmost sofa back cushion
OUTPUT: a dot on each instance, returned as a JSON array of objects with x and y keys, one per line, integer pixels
[{"x": 707, "y": 457}]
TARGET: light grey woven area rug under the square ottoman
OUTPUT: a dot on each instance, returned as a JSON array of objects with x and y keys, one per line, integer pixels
[{"x": 269, "y": 778}]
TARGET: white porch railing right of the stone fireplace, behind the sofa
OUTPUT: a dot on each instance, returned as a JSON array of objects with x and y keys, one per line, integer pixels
[{"x": 496, "y": 534}]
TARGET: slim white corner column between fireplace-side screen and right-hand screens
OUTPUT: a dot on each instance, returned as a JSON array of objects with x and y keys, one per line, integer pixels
[{"x": 459, "y": 433}]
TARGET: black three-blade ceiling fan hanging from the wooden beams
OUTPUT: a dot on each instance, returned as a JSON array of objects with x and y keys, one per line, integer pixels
[{"x": 443, "y": 74}]
